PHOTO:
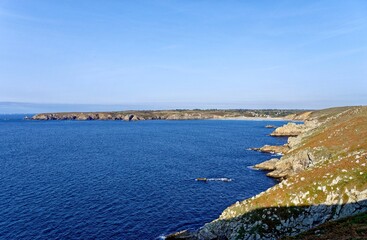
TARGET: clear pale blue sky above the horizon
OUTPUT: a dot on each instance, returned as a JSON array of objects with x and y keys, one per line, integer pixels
[{"x": 163, "y": 54}]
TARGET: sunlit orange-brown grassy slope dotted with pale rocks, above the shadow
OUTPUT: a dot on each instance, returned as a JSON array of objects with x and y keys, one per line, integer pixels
[{"x": 342, "y": 143}]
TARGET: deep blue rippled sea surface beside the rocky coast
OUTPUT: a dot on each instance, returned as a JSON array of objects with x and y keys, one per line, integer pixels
[{"x": 124, "y": 180}]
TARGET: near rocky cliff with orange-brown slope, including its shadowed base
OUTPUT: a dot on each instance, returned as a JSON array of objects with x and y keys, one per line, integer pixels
[{"x": 324, "y": 176}]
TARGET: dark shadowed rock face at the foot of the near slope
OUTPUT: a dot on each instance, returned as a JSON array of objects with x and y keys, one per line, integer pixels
[{"x": 275, "y": 223}]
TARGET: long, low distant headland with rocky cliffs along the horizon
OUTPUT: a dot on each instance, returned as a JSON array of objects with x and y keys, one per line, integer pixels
[{"x": 170, "y": 115}]
